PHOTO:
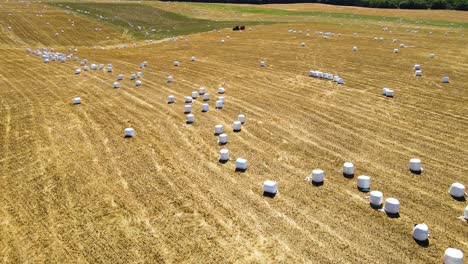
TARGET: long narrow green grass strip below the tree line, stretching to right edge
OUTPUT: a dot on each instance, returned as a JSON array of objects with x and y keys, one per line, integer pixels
[{"x": 280, "y": 12}]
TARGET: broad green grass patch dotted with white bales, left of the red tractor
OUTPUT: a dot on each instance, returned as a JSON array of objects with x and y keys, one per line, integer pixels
[{"x": 146, "y": 22}]
